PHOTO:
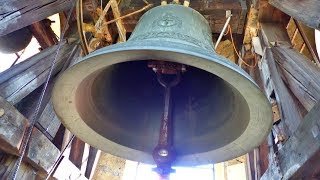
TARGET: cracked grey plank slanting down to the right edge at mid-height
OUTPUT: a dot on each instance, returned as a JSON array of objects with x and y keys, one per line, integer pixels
[{"x": 302, "y": 76}]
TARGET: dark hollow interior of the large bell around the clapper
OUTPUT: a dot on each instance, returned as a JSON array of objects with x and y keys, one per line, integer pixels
[{"x": 124, "y": 103}]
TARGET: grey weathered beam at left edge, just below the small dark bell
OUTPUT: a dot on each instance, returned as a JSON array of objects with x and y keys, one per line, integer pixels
[{"x": 29, "y": 76}]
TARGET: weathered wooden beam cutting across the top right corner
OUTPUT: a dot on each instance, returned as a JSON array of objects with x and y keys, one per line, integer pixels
[{"x": 306, "y": 11}]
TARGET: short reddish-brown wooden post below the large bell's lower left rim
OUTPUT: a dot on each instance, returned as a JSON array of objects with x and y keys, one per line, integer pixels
[{"x": 76, "y": 154}]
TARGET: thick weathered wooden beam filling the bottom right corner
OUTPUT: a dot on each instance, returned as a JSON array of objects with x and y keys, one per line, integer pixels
[{"x": 299, "y": 157}]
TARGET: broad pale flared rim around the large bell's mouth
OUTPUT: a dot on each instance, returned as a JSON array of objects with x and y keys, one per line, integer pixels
[{"x": 63, "y": 98}]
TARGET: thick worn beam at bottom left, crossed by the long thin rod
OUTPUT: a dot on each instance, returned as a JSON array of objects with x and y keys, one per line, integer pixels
[{"x": 41, "y": 153}]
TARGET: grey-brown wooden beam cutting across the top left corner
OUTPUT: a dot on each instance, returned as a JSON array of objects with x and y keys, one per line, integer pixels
[{"x": 16, "y": 14}]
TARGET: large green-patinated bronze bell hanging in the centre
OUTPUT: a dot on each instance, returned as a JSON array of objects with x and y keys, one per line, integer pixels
[{"x": 113, "y": 101}]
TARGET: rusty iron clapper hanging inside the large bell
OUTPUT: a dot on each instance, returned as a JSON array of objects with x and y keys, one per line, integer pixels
[{"x": 163, "y": 153}]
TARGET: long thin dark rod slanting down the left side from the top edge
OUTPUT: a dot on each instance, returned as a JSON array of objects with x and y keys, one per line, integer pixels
[{"x": 34, "y": 117}]
